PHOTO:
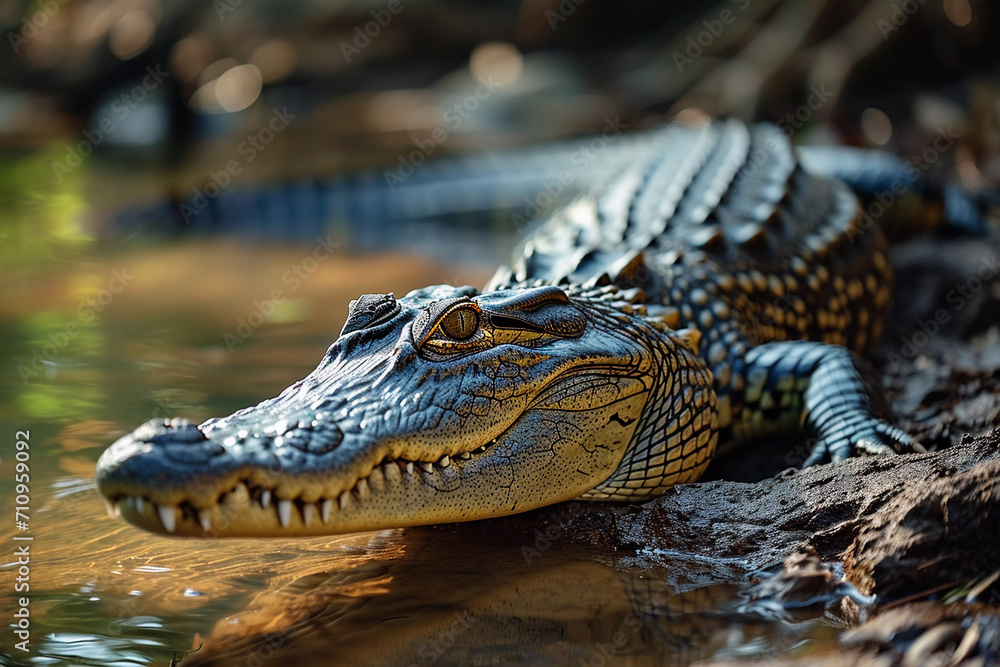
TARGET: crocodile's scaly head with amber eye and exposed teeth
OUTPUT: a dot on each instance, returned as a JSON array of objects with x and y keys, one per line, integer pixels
[{"x": 443, "y": 406}]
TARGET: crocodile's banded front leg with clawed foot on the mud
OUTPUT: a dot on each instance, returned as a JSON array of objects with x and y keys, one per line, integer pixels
[{"x": 826, "y": 391}]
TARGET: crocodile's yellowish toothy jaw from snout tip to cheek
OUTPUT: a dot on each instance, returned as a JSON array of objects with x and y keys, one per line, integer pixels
[{"x": 512, "y": 473}]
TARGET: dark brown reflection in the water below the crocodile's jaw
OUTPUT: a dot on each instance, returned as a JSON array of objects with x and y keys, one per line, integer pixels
[{"x": 471, "y": 599}]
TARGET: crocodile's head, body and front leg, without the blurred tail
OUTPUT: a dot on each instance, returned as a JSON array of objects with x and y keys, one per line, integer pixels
[{"x": 717, "y": 286}]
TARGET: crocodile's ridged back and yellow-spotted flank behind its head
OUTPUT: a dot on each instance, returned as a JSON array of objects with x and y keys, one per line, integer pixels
[{"x": 723, "y": 230}]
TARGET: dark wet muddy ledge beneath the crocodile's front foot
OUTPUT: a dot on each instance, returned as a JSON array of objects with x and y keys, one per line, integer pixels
[{"x": 885, "y": 518}]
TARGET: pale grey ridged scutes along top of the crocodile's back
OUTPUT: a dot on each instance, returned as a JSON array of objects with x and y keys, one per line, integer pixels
[{"x": 721, "y": 193}]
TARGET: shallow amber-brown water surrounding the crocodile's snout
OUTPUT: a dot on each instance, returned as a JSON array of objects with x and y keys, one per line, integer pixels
[{"x": 97, "y": 337}]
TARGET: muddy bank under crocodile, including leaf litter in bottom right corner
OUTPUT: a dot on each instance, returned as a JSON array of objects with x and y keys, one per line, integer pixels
[{"x": 905, "y": 549}]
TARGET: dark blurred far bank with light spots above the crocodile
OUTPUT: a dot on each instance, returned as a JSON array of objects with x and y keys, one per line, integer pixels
[{"x": 106, "y": 103}]
